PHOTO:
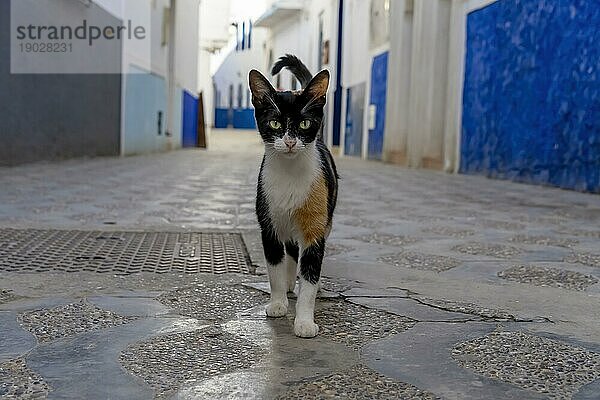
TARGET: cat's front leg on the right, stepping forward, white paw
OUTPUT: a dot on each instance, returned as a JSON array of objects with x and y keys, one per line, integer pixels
[{"x": 310, "y": 273}]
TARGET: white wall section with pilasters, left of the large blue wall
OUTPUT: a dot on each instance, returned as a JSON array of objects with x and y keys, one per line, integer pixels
[{"x": 426, "y": 72}]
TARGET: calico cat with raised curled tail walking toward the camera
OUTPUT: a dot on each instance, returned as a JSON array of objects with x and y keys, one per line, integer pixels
[{"x": 297, "y": 188}]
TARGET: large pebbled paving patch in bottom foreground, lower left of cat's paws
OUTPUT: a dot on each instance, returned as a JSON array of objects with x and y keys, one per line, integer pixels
[{"x": 167, "y": 362}]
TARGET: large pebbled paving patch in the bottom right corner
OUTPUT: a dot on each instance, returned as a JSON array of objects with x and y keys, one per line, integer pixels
[{"x": 553, "y": 368}]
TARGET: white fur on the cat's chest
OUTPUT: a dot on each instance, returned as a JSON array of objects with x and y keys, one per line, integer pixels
[{"x": 287, "y": 184}]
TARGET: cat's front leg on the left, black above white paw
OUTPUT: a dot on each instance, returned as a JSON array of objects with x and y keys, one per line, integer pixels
[{"x": 276, "y": 268}]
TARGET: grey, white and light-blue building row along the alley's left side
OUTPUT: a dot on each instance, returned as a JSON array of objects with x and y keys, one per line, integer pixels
[{"x": 139, "y": 105}]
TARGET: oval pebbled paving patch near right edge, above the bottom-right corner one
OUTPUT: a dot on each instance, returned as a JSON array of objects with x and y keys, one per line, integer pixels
[{"x": 545, "y": 276}]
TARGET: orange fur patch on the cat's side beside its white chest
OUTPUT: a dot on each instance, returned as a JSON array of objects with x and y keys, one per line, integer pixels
[{"x": 312, "y": 216}]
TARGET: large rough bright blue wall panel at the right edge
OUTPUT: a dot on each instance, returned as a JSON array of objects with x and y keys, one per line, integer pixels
[{"x": 531, "y": 108}]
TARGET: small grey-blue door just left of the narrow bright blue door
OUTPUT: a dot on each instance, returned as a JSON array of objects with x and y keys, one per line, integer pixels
[{"x": 355, "y": 111}]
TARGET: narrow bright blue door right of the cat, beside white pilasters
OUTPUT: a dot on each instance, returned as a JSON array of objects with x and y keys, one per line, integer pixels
[{"x": 377, "y": 99}]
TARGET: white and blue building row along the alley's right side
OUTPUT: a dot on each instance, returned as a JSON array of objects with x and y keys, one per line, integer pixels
[{"x": 503, "y": 88}]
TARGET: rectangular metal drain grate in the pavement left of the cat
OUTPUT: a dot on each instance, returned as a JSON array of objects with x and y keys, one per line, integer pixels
[{"x": 123, "y": 253}]
